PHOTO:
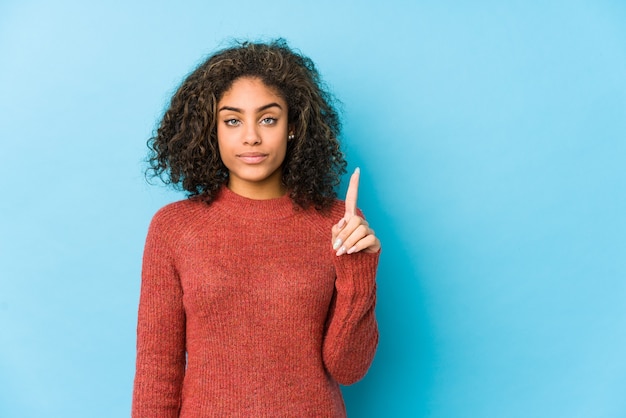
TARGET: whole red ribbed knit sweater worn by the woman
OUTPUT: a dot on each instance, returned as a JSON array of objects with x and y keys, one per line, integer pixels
[{"x": 245, "y": 310}]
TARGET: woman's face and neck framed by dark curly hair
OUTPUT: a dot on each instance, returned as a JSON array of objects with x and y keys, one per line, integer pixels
[{"x": 252, "y": 134}]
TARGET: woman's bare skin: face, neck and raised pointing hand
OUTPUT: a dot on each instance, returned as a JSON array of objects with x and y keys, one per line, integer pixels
[{"x": 252, "y": 135}]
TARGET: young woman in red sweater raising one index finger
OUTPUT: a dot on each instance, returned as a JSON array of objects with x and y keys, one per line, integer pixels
[{"x": 258, "y": 291}]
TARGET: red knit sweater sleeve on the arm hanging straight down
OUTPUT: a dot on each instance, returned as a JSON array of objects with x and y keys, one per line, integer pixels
[{"x": 160, "y": 365}]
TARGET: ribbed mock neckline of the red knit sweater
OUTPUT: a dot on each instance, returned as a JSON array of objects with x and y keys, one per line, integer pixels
[{"x": 275, "y": 208}]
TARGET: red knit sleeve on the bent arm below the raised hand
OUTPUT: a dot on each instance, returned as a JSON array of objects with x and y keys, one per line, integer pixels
[{"x": 352, "y": 333}]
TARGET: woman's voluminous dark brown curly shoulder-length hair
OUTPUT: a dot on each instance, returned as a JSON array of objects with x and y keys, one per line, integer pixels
[{"x": 184, "y": 151}]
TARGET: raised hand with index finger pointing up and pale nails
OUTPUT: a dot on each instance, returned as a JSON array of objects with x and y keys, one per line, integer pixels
[{"x": 352, "y": 233}]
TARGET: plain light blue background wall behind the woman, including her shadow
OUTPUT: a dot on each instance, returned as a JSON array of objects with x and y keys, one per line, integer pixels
[{"x": 492, "y": 139}]
